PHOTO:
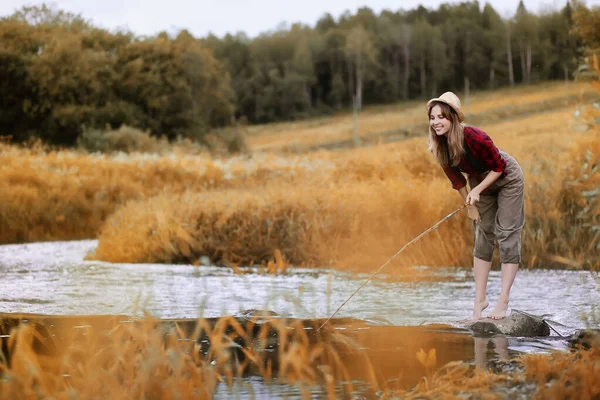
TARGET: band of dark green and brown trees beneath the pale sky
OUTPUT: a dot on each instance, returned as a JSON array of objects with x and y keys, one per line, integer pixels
[{"x": 61, "y": 75}]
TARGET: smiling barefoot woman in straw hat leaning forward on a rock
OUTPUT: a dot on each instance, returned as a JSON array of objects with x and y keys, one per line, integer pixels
[{"x": 495, "y": 200}]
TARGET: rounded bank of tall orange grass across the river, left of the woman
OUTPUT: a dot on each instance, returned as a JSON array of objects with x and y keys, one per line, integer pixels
[{"x": 312, "y": 226}]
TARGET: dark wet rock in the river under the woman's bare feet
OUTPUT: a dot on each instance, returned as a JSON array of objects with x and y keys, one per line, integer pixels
[{"x": 516, "y": 324}]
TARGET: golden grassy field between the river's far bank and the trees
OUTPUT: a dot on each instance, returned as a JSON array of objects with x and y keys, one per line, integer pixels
[{"x": 349, "y": 209}]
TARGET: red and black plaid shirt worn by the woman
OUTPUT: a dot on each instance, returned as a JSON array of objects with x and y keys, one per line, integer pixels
[{"x": 483, "y": 149}]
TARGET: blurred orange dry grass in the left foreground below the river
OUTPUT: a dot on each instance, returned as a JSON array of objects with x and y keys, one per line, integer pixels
[{"x": 108, "y": 359}]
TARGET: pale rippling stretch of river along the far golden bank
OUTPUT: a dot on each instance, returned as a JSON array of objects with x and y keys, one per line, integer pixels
[{"x": 52, "y": 278}]
